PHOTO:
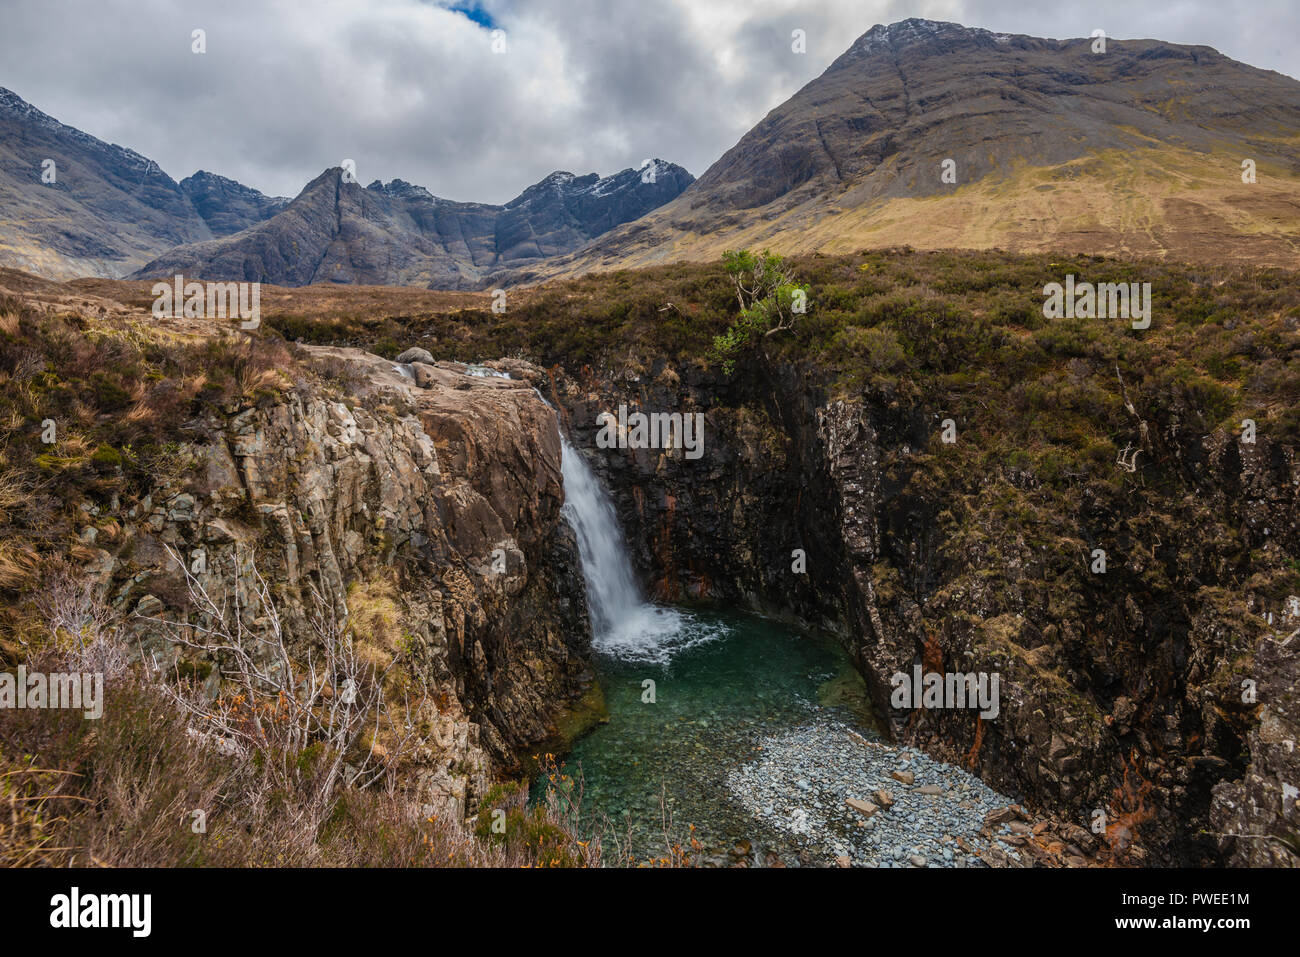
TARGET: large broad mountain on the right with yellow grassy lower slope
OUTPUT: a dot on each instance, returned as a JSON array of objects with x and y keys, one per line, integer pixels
[{"x": 1133, "y": 151}]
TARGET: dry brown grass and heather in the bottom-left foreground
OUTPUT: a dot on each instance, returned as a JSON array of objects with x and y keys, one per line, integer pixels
[{"x": 124, "y": 791}]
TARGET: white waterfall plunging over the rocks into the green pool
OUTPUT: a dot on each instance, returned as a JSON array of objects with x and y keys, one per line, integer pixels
[{"x": 623, "y": 623}]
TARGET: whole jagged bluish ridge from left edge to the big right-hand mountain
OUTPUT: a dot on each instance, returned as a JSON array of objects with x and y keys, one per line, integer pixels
[{"x": 112, "y": 211}]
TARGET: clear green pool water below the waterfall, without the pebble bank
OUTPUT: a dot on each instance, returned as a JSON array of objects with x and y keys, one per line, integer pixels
[{"x": 722, "y": 682}]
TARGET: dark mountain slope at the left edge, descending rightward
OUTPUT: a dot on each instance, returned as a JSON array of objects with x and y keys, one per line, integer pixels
[{"x": 109, "y": 210}]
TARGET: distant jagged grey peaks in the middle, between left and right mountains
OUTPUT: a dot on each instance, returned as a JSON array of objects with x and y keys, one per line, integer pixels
[{"x": 402, "y": 235}]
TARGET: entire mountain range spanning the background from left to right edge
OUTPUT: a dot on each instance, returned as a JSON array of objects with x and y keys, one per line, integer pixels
[{"x": 1134, "y": 151}]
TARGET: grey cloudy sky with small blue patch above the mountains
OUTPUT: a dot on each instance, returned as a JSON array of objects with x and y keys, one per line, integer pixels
[{"x": 414, "y": 90}]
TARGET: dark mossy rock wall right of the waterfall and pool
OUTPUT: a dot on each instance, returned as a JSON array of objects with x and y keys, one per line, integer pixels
[{"x": 1121, "y": 694}]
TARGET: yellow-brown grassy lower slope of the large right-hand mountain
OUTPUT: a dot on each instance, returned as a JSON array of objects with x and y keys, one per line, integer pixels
[{"x": 1152, "y": 203}]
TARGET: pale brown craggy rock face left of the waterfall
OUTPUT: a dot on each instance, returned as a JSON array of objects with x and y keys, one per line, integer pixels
[{"x": 422, "y": 501}]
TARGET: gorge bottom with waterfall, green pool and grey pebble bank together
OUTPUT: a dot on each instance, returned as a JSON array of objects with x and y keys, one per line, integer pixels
[{"x": 739, "y": 739}]
